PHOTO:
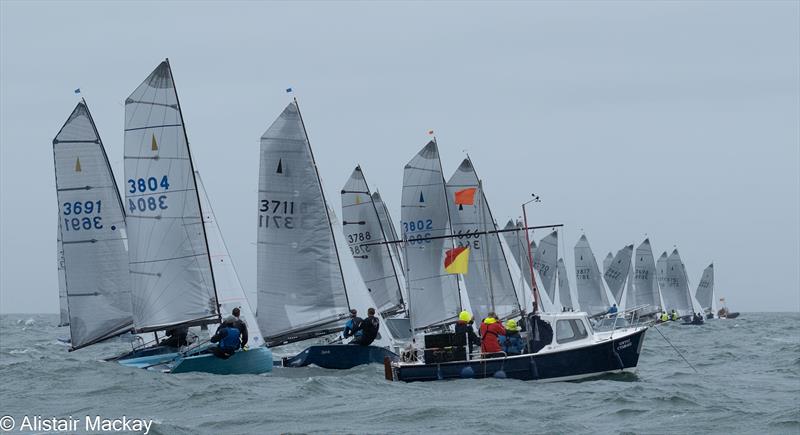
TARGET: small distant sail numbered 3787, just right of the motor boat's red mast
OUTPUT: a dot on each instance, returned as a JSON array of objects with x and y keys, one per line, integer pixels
[{"x": 588, "y": 280}]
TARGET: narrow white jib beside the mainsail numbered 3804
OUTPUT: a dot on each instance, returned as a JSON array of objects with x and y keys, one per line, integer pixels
[{"x": 230, "y": 292}]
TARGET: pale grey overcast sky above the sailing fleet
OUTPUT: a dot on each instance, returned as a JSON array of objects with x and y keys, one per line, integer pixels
[{"x": 679, "y": 121}]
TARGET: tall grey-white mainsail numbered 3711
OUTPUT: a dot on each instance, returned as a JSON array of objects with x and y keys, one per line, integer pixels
[{"x": 300, "y": 282}]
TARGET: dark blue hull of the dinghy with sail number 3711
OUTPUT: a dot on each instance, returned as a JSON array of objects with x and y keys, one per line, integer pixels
[{"x": 339, "y": 356}]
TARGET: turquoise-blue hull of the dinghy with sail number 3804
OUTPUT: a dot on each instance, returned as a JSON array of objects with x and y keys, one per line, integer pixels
[{"x": 254, "y": 361}]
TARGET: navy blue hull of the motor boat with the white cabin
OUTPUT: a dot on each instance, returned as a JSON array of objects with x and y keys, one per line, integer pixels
[{"x": 610, "y": 356}]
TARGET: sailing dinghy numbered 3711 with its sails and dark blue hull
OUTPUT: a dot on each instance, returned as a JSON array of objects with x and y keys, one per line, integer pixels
[{"x": 303, "y": 292}]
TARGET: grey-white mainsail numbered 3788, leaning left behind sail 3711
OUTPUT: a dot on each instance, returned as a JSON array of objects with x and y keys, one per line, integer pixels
[{"x": 365, "y": 236}]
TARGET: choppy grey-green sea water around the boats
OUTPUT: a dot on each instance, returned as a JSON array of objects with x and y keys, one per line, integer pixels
[{"x": 749, "y": 382}]
